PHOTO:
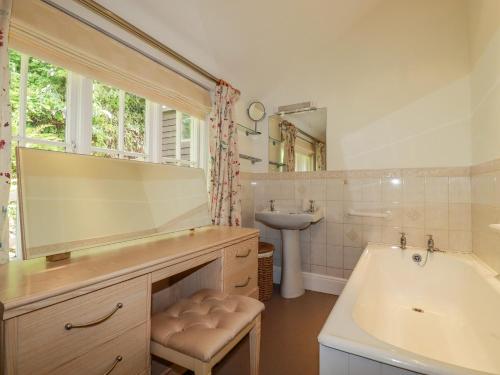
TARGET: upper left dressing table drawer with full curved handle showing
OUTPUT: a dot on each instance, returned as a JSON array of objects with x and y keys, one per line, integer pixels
[{"x": 62, "y": 332}]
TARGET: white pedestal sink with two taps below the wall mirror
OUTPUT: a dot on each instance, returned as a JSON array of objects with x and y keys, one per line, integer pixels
[{"x": 290, "y": 222}]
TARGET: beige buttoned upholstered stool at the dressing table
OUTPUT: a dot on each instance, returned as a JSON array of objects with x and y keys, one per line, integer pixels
[{"x": 199, "y": 331}]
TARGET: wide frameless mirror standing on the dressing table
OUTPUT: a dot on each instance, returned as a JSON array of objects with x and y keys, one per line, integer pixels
[{"x": 70, "y": 202}]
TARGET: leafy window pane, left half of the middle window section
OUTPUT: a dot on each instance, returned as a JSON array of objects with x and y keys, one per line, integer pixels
[{"x": 105, "y": 108}]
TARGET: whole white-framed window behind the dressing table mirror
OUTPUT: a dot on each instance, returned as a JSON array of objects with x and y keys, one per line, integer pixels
[{"x": 58, "y": 110}]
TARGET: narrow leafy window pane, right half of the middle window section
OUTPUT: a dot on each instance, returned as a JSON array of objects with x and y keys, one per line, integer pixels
[{"x": 135, "y": 120}]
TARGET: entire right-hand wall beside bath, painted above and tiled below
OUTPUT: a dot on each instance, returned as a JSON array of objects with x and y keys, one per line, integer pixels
[{"x": 484, "y": 31}]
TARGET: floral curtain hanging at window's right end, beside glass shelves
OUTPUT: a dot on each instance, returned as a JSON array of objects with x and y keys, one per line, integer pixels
[{"x": 225, "y": 204}]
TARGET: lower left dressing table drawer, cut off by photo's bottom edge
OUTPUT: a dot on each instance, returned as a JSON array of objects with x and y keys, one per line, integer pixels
[{"x": 125, "y": 355}]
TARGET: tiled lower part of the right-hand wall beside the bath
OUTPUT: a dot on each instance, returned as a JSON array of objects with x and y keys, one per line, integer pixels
[{"x": 485, "y": 183}]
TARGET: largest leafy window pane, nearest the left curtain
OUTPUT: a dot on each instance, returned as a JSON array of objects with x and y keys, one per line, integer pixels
[{"x": 46, "y": 101}]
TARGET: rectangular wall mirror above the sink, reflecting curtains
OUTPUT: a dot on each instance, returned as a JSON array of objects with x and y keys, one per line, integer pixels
[{"x": 297, "y": 141}]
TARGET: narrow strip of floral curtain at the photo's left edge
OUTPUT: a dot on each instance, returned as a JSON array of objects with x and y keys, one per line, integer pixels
[{"x": 5, "y": 131}]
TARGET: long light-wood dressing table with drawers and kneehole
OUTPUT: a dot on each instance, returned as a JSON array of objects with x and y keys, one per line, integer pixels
[{"x": 90, "y": 314}]
